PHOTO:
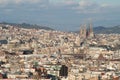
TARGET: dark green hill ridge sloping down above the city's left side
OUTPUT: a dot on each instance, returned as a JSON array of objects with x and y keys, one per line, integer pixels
[{"x": 28, "y": 26}]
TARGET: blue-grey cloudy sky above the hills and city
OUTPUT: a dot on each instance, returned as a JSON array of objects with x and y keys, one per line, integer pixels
[{"x": 64, "y": 15}]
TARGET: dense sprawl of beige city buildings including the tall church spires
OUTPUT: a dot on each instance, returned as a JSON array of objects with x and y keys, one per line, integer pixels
[{"x": 38, "y": 54}]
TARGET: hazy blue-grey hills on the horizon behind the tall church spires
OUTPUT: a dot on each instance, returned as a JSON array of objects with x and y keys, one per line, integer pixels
[{"x": 105, "y": 30}]
